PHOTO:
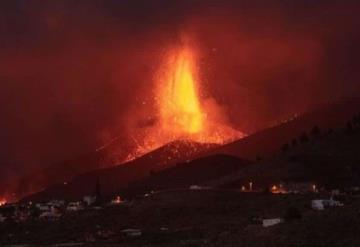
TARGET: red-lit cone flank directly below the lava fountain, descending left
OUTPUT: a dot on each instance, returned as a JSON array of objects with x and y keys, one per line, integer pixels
[{"x": 114, "y": 178}]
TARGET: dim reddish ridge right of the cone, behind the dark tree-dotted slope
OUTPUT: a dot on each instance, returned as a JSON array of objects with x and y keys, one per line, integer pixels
[{"x": 266, "y": 143}]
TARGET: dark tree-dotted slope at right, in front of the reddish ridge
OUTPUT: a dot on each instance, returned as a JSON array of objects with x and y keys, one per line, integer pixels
[{"x": 331, "y": 160}]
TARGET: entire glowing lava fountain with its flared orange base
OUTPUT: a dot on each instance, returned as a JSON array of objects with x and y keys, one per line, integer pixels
[{"x": 182, "y": 113}]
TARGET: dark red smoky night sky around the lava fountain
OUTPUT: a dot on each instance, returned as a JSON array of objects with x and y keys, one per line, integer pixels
[{"x": 72, "y": 73}]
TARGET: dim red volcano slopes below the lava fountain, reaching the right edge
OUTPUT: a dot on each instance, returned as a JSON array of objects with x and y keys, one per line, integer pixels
[{"x": 151, "y": 167}]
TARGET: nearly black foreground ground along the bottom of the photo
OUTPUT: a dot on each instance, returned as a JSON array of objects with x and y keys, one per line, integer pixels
[{"x": 198, "y": 218}]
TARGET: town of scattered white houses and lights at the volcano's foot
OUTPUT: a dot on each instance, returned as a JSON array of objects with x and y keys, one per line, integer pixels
[{"x": 309, "y": 197}]
